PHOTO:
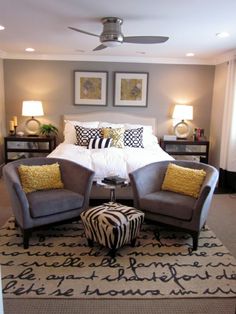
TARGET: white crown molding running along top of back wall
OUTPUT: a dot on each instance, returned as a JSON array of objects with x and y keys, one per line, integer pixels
[{"x": 34, "y": 56}]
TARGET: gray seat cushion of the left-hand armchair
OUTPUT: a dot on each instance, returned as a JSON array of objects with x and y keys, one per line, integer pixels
[{"x": 50, "y": 202}]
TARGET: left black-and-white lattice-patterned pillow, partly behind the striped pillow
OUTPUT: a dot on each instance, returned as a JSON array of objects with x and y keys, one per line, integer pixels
[{"x": 83, "y": 135}]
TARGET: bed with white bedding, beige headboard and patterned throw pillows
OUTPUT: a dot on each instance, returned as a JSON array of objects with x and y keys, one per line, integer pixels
[{"x": 135, "y": 145}]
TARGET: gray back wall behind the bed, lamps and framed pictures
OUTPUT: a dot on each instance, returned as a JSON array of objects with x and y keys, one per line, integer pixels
[{"x": 52, "y": 82}]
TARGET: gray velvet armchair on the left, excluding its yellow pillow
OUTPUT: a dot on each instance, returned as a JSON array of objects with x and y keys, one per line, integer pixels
[{"x": 45, "y": 207}]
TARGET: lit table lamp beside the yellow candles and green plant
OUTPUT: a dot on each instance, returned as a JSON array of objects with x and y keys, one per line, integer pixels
[{"x": 32, "y": 108}]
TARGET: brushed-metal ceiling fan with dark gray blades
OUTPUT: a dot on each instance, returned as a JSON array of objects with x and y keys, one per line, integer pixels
[{"x": 112, "y": 36}]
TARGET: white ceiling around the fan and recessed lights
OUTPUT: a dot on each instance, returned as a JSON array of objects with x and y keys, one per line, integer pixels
[{"x": 191, "y": 26}]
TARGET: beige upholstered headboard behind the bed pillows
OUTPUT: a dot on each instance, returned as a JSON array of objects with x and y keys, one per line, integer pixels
[{"x": 113, "y": 117}]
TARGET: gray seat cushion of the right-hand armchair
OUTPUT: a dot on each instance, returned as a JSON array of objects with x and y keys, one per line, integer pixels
[{"x": 168, "y": 204}]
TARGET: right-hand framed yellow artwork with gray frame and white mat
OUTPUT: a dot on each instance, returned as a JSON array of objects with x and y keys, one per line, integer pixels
[{"x": 131, "y": 89}]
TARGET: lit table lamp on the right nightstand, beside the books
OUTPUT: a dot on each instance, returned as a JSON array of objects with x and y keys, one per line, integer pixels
[{"x": 181, "y": 113}]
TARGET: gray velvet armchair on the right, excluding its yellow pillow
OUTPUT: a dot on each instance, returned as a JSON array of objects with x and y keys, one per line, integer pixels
[{"x": 178, "y": 210}]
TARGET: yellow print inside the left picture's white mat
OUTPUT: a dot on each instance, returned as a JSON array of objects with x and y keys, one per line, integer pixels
[{"x": 90, "y": 88}]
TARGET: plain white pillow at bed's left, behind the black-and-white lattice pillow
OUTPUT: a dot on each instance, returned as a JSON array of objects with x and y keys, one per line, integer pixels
[{"x": 69, "y": 129}]
